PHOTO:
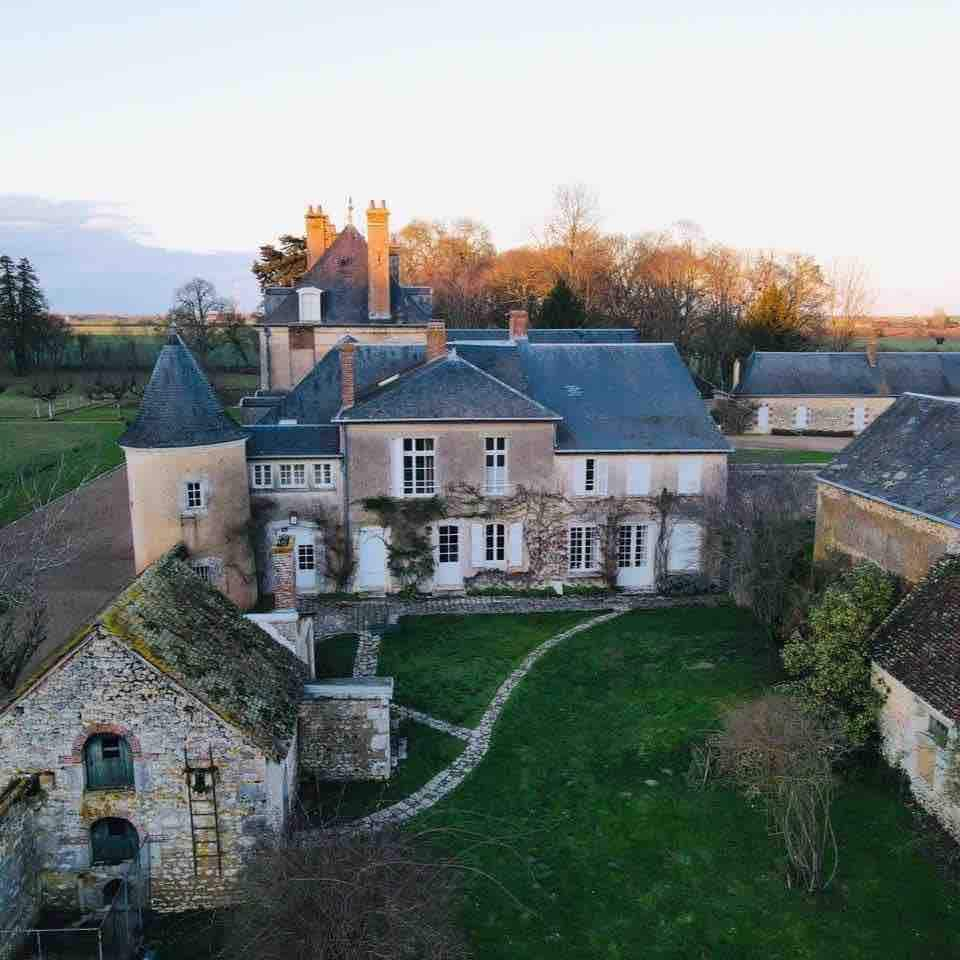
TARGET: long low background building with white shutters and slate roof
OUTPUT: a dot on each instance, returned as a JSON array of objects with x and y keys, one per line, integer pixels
[{"x": 839, "y": 393}]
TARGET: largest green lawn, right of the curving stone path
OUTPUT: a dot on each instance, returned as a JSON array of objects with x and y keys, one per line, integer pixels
[{"x": 615, "y": 856}]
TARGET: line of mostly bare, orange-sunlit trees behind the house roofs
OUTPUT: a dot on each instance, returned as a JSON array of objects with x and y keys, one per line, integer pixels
[{"x": 713, "y": 301}]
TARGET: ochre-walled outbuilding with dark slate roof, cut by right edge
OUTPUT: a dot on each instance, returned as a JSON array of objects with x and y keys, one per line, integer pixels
[{"x": 893, "y": 495}]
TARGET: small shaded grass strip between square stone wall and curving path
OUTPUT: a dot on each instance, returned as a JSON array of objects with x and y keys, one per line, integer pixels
[{"x": 428, "y": 752}]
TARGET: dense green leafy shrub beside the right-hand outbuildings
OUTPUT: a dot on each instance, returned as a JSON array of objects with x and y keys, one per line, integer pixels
[{"x": 829, "y": 656}]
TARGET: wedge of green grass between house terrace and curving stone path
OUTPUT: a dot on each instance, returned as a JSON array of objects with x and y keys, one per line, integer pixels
[{"x": 451, "y": 666}]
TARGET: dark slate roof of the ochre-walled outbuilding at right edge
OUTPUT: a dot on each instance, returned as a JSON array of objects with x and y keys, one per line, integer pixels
[{"x": 909, "y": 457}]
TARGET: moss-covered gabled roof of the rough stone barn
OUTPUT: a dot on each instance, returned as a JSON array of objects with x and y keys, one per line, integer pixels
[{"x": 193, "y": 634}]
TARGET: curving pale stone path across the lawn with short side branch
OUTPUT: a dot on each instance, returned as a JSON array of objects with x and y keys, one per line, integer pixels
[{"x": 478, "y": 743}]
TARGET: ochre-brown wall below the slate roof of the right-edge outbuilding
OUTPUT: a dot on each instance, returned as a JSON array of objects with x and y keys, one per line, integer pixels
[{"x": 902, "y": 543}]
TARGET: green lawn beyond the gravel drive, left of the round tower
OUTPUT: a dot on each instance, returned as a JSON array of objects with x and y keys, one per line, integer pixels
[{"x": 34, "y": 450}]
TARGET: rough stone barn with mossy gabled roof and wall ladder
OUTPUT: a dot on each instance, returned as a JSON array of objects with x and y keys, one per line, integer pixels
[{"x": 165, "y": 734}]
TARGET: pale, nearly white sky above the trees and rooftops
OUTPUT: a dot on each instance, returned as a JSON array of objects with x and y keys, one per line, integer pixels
[{"x": 823, "y": 127}]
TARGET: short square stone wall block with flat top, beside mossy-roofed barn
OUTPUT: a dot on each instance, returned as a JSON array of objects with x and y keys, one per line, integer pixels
[{"x": 345, "y": 729}]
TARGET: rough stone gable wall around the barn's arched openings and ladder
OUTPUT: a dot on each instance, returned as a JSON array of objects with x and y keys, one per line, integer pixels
[{"x": 104, "y": 687}]
